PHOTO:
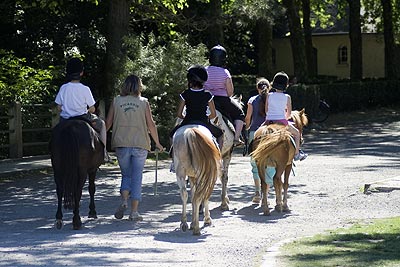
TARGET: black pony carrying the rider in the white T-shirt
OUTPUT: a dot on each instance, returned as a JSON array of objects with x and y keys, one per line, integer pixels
[{"x": 76, "y": 153}]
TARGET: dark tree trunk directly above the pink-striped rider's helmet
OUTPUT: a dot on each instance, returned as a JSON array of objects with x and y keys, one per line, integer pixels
[{"x": 215, "y": 29}]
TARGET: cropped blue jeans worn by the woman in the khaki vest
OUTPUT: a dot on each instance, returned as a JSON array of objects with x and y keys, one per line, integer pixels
[{"x": 131, "y": 161}]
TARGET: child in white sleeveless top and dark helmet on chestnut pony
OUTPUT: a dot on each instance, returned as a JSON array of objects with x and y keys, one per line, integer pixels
[{"x": 278, "y": 108}]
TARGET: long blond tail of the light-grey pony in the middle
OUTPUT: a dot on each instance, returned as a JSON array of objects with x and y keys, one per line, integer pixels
[{"x": 205, "y": 160}]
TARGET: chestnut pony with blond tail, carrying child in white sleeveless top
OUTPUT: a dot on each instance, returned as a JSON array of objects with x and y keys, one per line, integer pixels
[{"x": 274, "y": 146}]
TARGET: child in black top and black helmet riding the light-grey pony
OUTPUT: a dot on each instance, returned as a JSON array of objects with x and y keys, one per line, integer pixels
[{"x": 196, "y": 100}]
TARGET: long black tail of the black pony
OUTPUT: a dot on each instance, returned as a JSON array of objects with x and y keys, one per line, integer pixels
[{"x": 69, "y": 167}]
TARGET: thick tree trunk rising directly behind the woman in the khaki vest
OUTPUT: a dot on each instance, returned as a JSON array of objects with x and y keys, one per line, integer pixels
[{"x": 117, "y": 28}]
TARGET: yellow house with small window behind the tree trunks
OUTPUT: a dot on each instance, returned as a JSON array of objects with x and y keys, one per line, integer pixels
[{"x": 332, "y": 52}]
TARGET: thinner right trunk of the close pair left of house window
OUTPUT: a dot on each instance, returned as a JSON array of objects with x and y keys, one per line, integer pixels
[{"x": 309, "y": 49}]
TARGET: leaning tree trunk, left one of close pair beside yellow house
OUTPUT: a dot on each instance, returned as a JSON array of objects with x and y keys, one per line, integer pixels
[{"x": 296, "y": 40}]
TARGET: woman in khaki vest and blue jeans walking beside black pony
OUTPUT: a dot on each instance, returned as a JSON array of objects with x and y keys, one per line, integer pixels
[{"x": 131, "y": 120}]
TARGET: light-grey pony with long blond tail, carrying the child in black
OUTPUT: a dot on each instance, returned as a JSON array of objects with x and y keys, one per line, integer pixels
[{"x": 198, "y": 157}]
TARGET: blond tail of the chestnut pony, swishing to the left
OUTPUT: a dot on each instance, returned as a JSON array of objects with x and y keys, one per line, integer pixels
[{"x": 269, "y": 144}]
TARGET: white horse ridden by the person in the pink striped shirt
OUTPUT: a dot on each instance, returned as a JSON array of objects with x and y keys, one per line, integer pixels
[{"x": 227, "y": 148}]
